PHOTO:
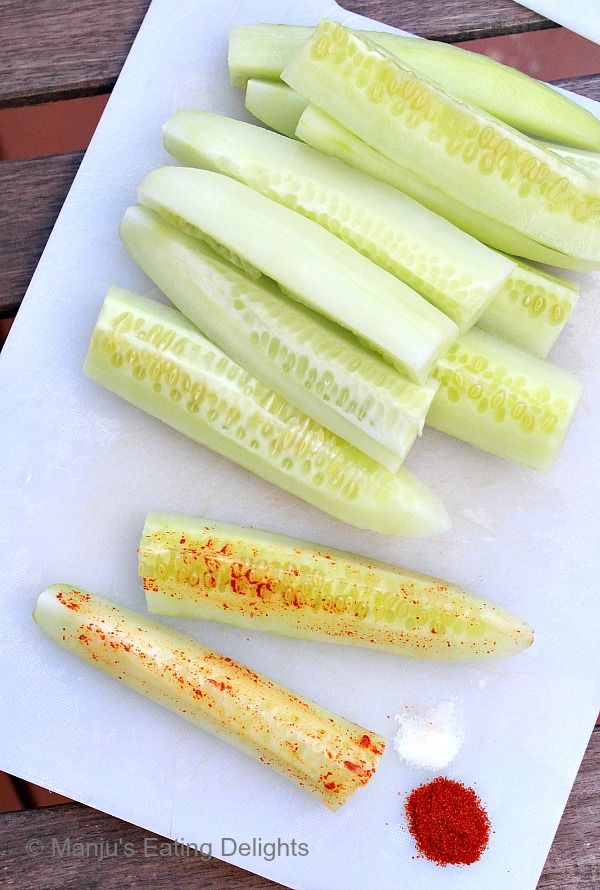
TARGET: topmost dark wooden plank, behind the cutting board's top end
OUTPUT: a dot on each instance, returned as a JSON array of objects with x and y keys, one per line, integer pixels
[{"x": 57, "y": 49}]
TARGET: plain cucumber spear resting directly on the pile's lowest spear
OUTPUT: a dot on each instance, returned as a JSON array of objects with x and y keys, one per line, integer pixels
[{"x": 309, "y": 361}]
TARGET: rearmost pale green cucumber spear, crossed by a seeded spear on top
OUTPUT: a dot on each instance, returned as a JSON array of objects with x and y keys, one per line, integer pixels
[{"x": 523, "y": 102}]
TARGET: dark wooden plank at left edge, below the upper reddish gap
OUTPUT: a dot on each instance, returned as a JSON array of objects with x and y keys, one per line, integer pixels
[{"x": 32, "y": 193}]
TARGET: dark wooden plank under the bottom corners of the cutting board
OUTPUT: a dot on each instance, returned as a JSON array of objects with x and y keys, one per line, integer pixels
[{"x": 572, "y": 864}]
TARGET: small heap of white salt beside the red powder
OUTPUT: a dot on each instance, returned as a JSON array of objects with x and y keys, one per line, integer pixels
[{"x": 429, "y": 738}]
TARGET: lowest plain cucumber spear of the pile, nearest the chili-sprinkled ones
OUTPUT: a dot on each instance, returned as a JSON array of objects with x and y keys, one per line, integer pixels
[{"x": 154, "y": 358}]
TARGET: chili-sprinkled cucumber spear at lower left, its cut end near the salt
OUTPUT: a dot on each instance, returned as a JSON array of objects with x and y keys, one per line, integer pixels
[{"x": 323, "y": 753}]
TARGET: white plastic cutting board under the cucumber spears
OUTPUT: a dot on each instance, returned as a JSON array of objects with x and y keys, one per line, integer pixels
[{"x": 79, "y": 469}]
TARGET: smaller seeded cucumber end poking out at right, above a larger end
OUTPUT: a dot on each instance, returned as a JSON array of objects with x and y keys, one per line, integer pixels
[{"x": 531, "y": 309}]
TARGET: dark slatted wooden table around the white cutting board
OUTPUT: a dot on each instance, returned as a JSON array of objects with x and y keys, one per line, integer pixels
[{"x": 58, "y": 49}]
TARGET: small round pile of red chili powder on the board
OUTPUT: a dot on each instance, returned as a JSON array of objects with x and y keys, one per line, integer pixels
[{"x": 448, "y": 822}]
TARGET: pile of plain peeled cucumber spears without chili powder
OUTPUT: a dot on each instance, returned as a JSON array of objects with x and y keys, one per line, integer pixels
[{"x": 338, "y": 290}]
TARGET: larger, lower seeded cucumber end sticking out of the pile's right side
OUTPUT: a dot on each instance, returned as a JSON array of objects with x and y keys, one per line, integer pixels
[{"x": 498, "y": 398}]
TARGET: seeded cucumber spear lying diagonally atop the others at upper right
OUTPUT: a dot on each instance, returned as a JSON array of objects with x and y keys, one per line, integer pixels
[{"x": 462, "y": 150}]
